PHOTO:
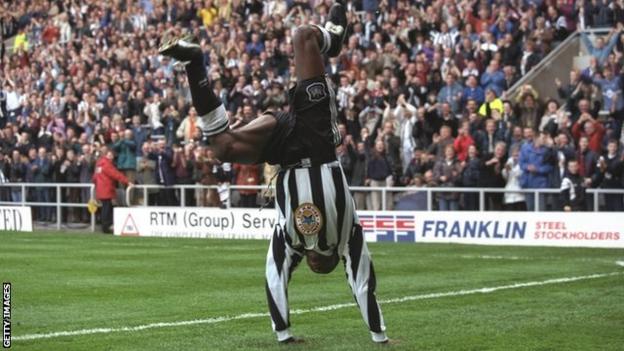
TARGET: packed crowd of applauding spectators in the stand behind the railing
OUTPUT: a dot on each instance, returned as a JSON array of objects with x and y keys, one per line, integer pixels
[{"x": 420, "y": 90}]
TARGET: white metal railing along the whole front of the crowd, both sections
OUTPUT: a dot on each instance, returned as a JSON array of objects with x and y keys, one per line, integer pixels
[{"x": 64, "y": 211}]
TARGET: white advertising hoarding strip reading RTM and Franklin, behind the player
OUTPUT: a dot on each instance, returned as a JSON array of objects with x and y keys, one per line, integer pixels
[{"x": 483, "y": 228}]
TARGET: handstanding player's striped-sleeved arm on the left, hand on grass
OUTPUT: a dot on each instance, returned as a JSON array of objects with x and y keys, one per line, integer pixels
[{"x": 281, "y": 262}]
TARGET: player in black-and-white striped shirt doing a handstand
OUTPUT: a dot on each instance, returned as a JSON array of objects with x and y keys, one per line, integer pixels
[{"x": 316, "y": 214}]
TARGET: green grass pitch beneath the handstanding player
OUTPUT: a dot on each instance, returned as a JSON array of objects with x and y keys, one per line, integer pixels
[{"x": 69, "y": 282}]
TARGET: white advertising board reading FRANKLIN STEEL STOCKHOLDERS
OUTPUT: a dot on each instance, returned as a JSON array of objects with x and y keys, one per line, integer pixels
[{"x": 578, "y": 229}]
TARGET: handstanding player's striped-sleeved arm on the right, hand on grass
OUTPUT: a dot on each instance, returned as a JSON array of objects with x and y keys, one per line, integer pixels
[{"x": 361, "y": 278}]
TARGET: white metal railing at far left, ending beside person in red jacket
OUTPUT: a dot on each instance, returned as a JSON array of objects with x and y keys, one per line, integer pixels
[{"x": 57, "y": 188}]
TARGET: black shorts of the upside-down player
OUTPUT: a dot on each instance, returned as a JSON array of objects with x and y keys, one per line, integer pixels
[{"x": 309, "y": 130}]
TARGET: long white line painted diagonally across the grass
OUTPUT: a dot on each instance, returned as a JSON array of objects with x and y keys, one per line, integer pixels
[{"x": 215, "y": 320}]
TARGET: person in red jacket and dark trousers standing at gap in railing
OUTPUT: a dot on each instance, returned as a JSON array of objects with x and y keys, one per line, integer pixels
[{"x": 105, "y": 179}]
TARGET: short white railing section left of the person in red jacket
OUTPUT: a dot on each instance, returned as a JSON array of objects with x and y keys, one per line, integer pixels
[{"x": 28, "y": 194}]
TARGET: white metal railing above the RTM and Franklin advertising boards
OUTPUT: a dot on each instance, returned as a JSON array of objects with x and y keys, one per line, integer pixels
[{"x": 430, "y": 193}]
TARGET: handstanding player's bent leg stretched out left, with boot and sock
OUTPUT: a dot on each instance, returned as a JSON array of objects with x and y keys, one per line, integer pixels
[{"x": 244, "y": 145}]
